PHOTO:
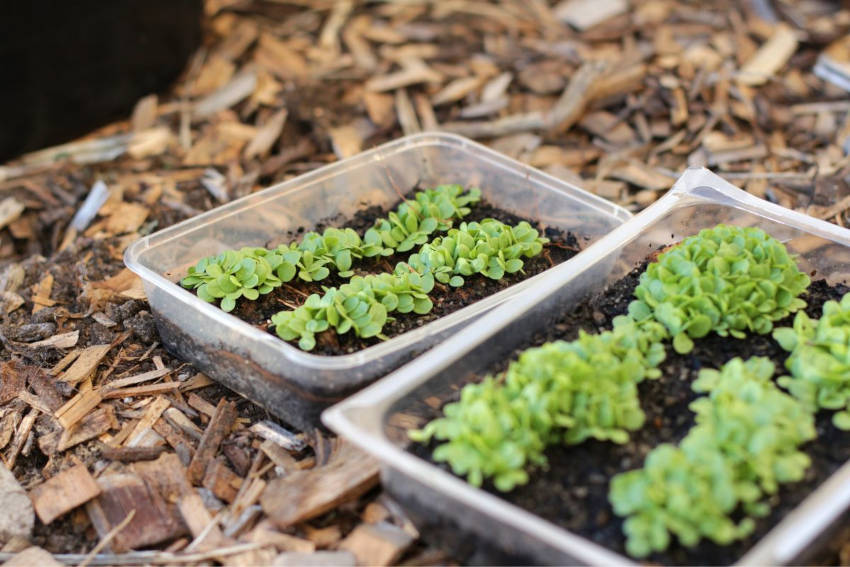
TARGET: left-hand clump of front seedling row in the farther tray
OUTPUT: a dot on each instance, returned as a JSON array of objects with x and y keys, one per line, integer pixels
[{"x": 361, "y": 306}]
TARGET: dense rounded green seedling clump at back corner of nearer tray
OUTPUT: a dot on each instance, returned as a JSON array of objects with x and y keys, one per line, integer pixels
[{"x": 727, "y": 279}]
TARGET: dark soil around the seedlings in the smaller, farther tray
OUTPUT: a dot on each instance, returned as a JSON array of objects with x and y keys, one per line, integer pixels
[{"x": 562, "y": 246}]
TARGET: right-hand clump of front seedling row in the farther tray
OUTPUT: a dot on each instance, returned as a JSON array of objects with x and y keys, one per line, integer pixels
[{"x": 491, "y": 248}]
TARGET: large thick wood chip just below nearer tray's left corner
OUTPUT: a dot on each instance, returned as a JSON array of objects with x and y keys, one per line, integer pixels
[{"x": 306, "y": 494}]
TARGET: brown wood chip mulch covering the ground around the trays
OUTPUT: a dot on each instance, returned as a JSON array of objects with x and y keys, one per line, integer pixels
[{"x": 123, "y": 449}]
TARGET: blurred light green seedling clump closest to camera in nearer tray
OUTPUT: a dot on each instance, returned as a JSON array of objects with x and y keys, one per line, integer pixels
[{"x": 744, "y": 444}]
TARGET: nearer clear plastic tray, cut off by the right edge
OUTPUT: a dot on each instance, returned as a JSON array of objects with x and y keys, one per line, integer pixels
[{"x": 472, "y": 521}]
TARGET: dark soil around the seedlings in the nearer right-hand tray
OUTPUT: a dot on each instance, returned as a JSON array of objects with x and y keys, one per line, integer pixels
[{"x": 573, "y": 491}]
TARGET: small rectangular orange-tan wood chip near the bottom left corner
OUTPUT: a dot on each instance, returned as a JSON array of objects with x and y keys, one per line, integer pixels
[{"x": 64, "y": 492}]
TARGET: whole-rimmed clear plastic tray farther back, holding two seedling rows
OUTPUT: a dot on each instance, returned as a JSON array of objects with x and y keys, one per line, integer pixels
[{"x": 296, "y": 385}]
